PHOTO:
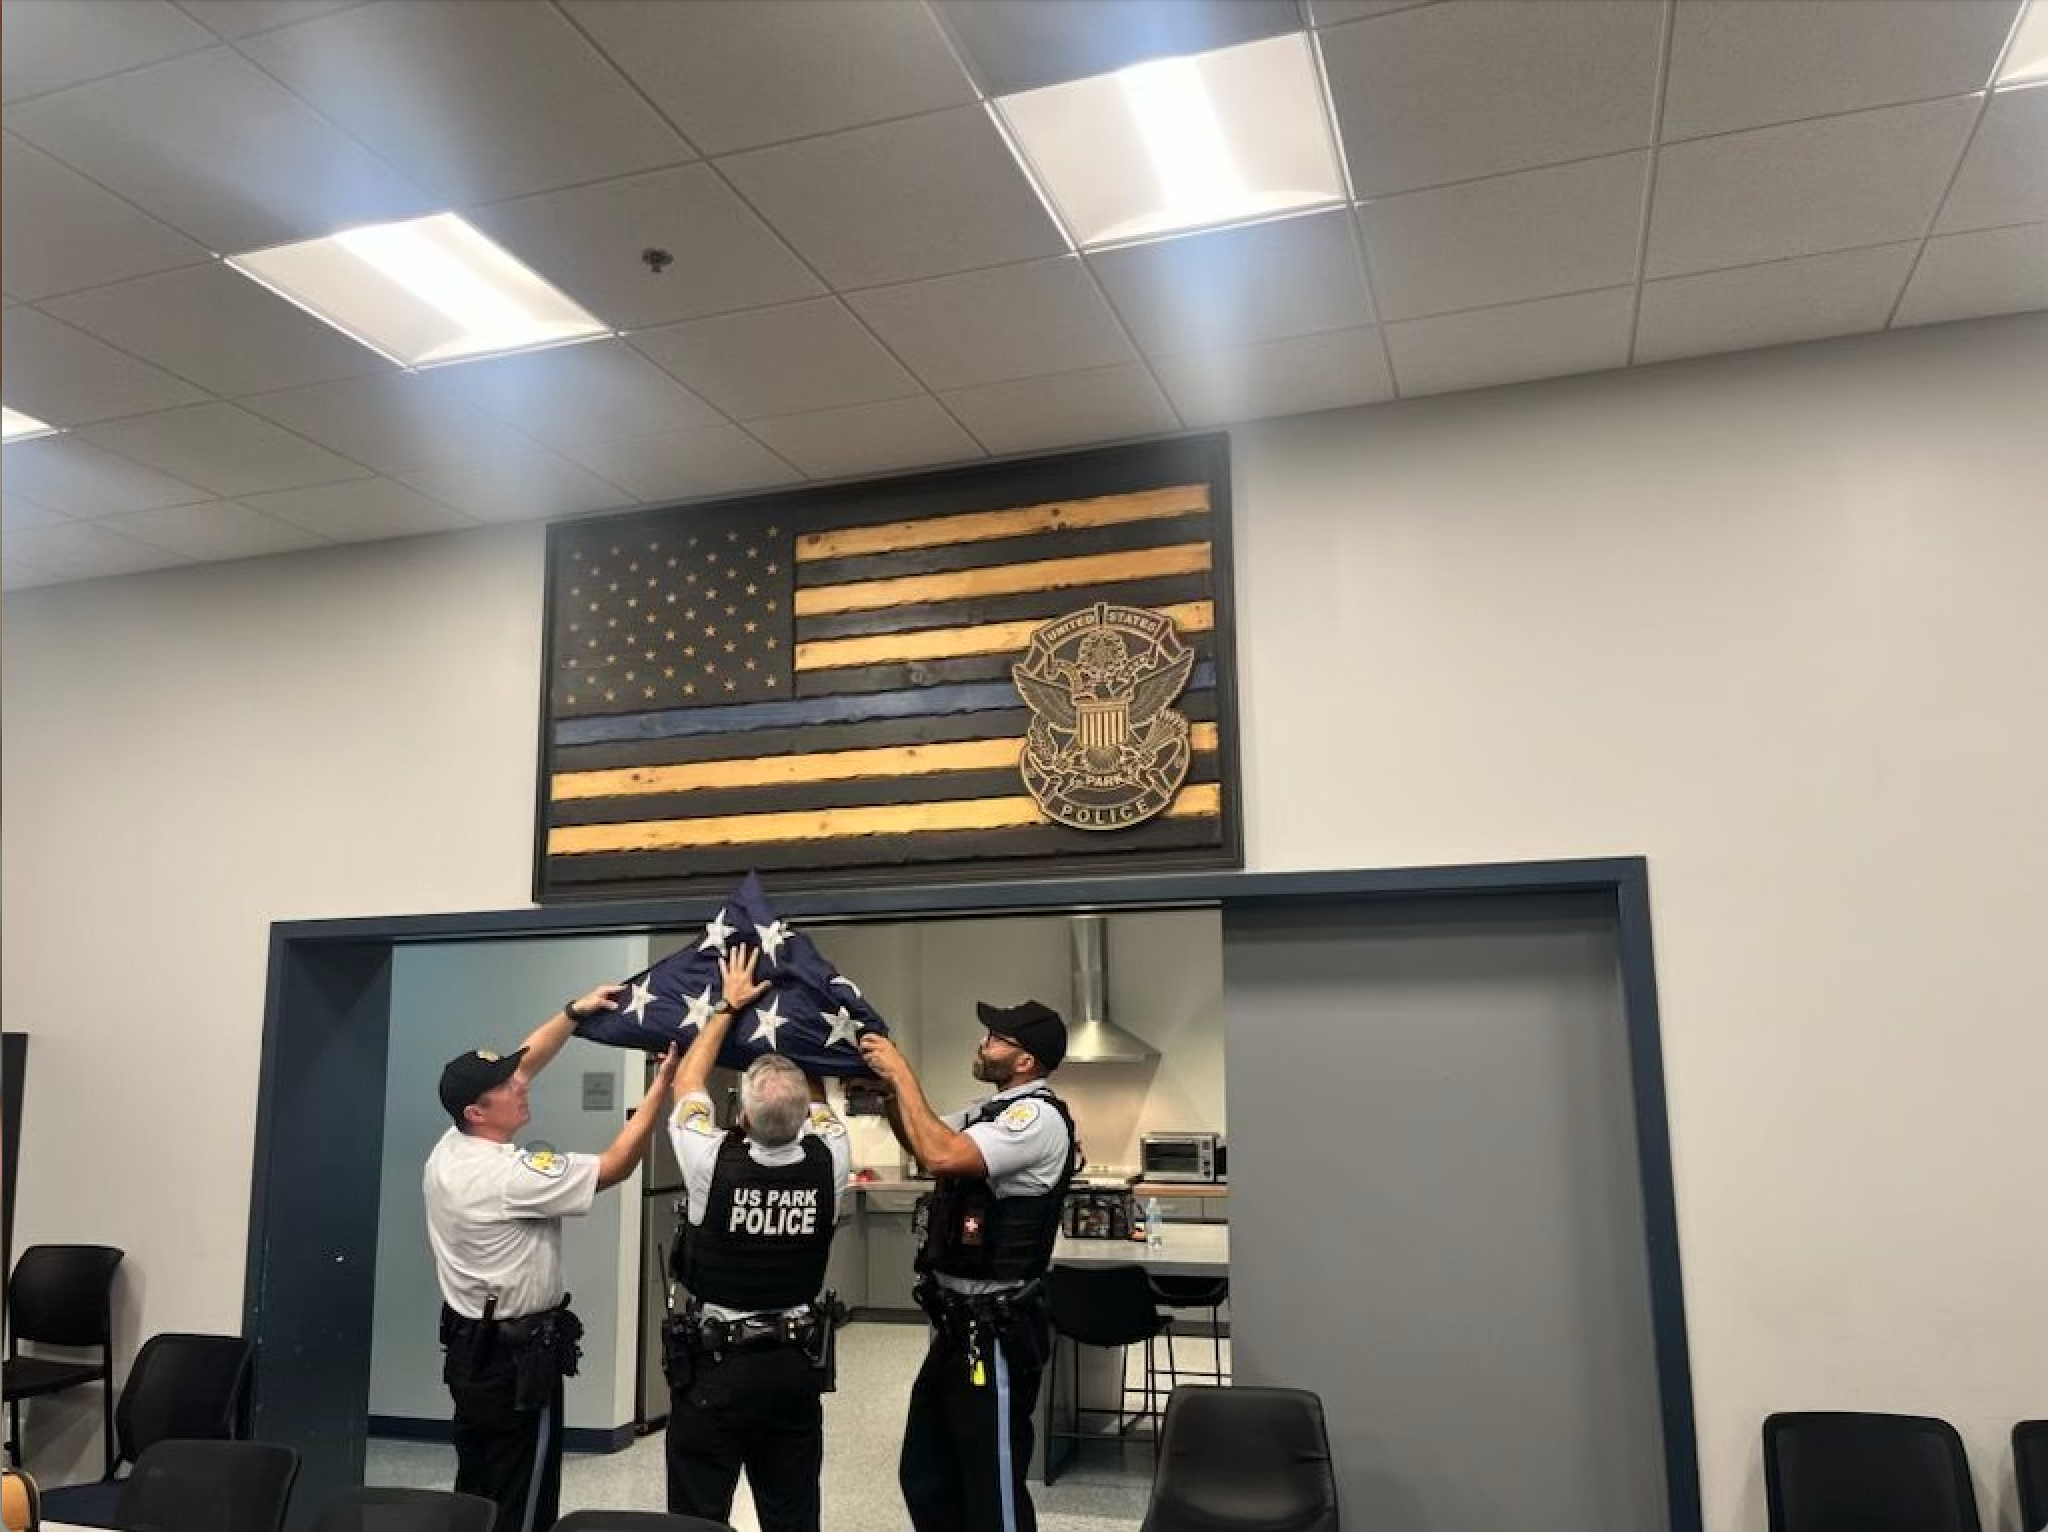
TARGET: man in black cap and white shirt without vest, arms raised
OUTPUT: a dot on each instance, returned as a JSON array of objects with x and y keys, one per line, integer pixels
[{"x": 495, "y": 1220}]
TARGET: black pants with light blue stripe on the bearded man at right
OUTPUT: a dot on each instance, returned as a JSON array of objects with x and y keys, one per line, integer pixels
[{"x": 966, "y": 1447}]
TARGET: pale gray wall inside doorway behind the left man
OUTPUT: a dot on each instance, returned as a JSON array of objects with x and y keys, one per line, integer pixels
[{"x": 490, "y": 996}]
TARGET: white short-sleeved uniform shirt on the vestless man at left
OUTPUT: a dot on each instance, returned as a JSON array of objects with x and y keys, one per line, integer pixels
[{"x": 495, "y": 1220}]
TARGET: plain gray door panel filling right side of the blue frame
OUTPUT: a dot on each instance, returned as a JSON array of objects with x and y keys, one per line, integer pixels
[{"x": 1437, "y": 1211}]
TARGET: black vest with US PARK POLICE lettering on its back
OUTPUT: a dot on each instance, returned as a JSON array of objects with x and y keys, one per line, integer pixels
[{"x": 767, "y": 1232}]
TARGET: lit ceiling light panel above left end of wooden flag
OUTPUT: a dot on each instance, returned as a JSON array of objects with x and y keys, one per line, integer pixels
[{"x": 425, "y": 292}]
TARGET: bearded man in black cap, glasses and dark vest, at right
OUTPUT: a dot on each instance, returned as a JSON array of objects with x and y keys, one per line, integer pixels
[{"x": 1002, "y": 1173}]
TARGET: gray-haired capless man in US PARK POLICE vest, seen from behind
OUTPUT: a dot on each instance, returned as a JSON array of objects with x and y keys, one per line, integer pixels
[{"x": 751, "y": 1357}]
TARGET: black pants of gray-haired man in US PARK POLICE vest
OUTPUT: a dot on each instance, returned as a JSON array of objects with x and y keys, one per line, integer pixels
[{"x": 757, "y": 1410}]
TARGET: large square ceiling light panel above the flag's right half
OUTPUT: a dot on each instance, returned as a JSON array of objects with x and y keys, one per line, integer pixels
[{"x": 1181, "y": 144}]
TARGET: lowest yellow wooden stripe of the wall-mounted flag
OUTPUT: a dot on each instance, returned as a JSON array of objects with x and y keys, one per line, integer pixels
[{"x": 1195, "y": 802}]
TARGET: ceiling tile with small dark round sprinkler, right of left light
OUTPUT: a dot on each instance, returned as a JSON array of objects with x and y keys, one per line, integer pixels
[{"x": 589, "y": 243}]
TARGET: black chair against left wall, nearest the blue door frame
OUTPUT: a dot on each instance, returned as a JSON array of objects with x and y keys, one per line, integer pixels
[{"x": 181, "y": 1388}]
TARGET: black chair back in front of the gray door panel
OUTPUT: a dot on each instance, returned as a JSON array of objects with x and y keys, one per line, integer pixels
[{"x": 1250, "y": 1459}]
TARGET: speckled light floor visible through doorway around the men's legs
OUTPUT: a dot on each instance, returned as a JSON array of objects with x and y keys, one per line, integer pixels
[{"x": 1105, "y": 1492}]
